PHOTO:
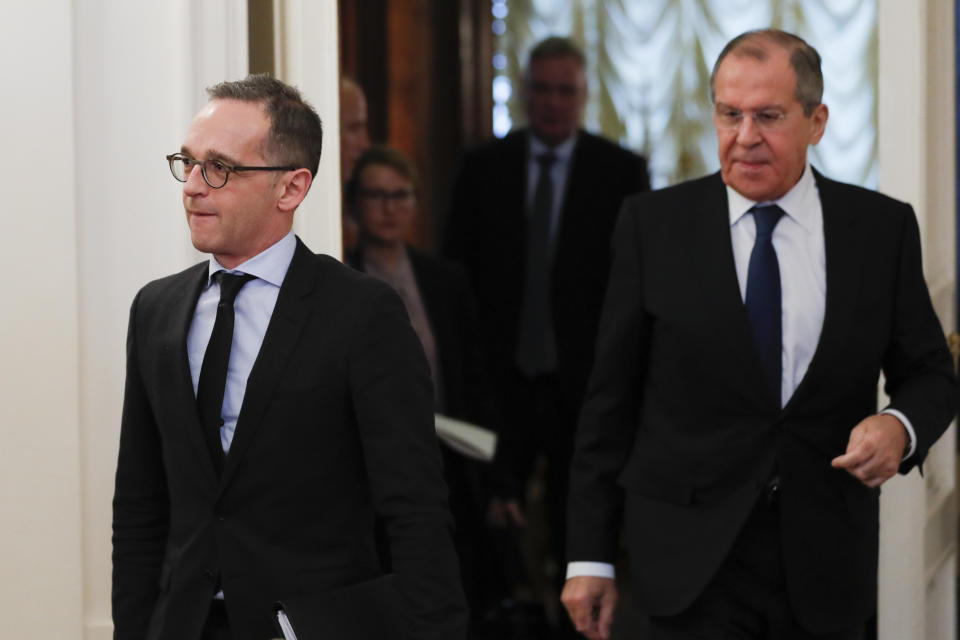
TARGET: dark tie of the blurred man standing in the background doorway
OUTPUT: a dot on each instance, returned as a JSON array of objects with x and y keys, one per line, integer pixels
[{"x": 536, "y": 345}]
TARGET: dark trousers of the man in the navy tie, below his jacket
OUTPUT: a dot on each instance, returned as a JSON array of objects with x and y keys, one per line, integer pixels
[{"x": 747, "y": 599}]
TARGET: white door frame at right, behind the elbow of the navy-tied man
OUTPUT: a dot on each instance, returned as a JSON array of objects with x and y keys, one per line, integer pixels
[{"x": 918, "y": 530}]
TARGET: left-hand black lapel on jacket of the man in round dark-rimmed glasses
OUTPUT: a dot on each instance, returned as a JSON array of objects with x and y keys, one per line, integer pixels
[{"x": 177, "y": 368}]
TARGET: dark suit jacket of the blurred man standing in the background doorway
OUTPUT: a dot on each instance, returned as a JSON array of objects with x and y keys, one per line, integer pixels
[{"x": 486, "y": 232}]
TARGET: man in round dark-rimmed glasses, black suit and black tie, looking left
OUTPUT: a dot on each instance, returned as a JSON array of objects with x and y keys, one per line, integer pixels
[{"x": 278, "y": 410}]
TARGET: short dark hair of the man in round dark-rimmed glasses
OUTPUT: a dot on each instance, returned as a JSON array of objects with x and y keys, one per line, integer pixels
[{"x": 296, "y": 134}]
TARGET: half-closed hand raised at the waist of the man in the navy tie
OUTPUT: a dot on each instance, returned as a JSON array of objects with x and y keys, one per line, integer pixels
[{"x": 874, "y": 450}]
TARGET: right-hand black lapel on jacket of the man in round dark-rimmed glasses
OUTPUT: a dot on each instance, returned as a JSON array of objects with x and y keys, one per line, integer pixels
[{"x": 289, "y": 317}]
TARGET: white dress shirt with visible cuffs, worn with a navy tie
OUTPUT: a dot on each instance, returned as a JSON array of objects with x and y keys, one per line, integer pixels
[{"x": 801, "y": 253}]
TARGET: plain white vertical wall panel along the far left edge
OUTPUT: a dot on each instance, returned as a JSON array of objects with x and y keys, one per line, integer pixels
[{"x": 41, "y": 592}]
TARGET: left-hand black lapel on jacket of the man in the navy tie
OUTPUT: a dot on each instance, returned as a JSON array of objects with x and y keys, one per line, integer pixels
[{"x": 720, "y": 291}]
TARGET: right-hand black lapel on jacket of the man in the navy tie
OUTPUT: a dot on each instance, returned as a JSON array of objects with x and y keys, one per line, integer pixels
[{"x": 844, "y": 250}]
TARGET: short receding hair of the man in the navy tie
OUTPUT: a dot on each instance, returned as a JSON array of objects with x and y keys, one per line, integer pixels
[{"x": 804, "y": 60}]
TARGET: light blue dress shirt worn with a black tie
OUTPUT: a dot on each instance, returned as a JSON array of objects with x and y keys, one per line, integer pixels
[{"x": 252, "y": 311}]
